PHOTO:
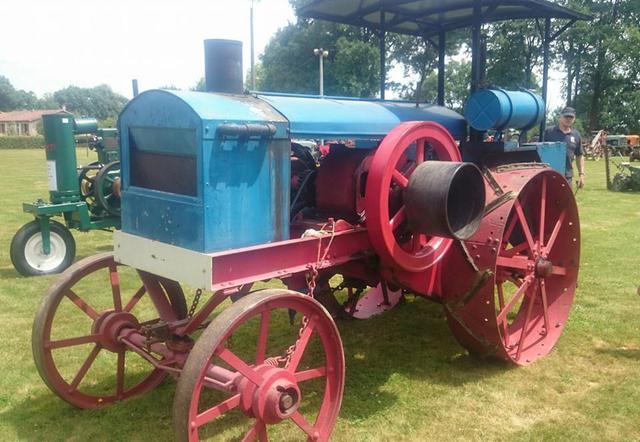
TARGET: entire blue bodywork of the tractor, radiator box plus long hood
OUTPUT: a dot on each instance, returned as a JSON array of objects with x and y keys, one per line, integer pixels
[{"x": 211, "y": 172}]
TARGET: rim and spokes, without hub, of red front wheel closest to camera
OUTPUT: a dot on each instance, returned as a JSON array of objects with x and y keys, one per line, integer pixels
[{"x": 333, "y": 367}]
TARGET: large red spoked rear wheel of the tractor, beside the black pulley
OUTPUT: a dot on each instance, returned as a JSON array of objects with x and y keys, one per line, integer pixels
[{"x": 549, "y": 281}]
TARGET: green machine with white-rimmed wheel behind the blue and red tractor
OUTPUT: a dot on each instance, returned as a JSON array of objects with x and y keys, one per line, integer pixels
[{"x": 88, "y": 198}]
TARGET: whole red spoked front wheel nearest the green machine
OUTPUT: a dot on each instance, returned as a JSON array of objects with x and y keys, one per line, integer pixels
[{"x": 75, "y": 332}]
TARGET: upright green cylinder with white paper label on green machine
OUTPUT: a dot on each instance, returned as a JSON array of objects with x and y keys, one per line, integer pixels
[{"x": 60, "y": 150}]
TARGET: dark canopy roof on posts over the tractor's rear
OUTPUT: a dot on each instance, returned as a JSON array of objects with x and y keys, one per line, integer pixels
[{"x": 429, "y": 17}]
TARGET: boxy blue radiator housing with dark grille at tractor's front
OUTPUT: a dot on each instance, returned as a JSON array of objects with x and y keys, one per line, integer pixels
[{"x": 186, "y": 182}]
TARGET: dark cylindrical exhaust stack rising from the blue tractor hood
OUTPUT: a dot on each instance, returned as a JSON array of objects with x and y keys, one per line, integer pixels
[{"x": 223, "y": 66}]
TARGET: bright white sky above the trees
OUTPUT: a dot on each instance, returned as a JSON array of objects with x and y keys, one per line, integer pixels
[{"x": 57, "y": 43}]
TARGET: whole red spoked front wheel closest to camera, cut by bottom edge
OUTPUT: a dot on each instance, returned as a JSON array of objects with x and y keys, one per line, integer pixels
[{"x": 225, "y": 380}]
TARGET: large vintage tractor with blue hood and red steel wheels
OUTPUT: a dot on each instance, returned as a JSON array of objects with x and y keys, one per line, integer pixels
[{"x": 207, "y": 201}]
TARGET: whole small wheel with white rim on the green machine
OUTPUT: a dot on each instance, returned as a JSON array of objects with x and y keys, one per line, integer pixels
[{"x": 27, "y": 252}]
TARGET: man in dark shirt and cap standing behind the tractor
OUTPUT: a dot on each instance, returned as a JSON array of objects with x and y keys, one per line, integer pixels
[{"x": 565, "y": 133}]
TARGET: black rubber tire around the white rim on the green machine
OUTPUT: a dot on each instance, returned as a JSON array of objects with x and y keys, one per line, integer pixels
[{"x": 27, "y": 231}]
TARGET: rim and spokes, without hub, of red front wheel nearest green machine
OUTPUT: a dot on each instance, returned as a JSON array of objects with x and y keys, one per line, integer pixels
[{"x": 43, "y": 345}]
